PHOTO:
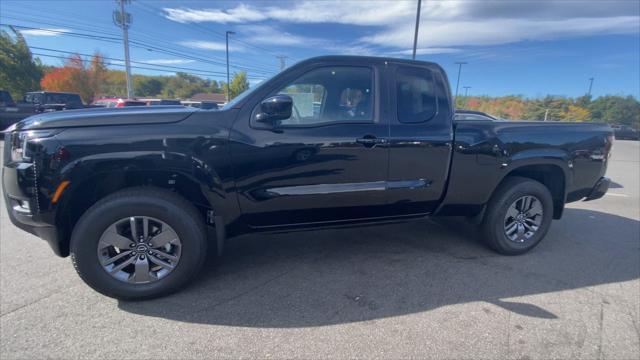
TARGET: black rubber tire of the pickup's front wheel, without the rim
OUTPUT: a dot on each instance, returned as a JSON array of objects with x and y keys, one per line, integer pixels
[{"x": 160, "y": 204}]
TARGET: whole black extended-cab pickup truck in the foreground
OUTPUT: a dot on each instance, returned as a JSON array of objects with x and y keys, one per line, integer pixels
[{"x": 137, "y": 196}]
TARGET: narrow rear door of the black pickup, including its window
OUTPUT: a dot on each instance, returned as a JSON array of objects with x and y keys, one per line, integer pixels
[{"x": 421, "y": 137}]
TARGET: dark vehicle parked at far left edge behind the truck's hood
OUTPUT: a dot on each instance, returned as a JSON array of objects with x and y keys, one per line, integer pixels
[{"x": 36, "y": 102}]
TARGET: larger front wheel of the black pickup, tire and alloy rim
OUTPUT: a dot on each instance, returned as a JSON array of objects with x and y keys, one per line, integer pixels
[{"x": 139, "y": 243}]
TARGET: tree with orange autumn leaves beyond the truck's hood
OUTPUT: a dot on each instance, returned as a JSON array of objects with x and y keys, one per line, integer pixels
[{"x": 76, "y": 76}]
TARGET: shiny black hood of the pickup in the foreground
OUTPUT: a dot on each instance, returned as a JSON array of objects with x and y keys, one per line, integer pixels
[{"x": 104, "y": 117}]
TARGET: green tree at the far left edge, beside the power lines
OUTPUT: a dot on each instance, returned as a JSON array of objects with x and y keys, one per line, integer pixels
[{"x": 19, "y": 72}]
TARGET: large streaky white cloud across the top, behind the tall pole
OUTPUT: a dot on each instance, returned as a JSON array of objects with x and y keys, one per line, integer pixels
[{"x": 444, "y": 24}]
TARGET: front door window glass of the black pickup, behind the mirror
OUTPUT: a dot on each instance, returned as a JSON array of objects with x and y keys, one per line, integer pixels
[{"x": 331, "y": 94}]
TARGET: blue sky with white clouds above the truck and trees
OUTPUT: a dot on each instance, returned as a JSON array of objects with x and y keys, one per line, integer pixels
[{"x": 529, "y": 48}]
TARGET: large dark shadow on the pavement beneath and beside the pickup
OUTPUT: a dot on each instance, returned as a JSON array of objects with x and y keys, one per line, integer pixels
[{"x": 327, "y": 277}]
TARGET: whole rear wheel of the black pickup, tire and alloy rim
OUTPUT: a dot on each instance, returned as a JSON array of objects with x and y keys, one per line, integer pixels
[{"x": 518, "y": 216}]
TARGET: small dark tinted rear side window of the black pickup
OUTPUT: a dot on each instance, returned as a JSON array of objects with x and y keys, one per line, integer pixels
[{"x": 416, "y": 96}]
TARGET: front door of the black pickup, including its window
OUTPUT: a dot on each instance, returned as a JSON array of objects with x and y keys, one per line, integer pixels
[{"x": 327, "y": 162}]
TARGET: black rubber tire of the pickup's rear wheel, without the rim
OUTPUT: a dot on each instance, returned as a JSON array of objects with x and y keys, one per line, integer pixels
[{"x": 493, "y": 225}]
